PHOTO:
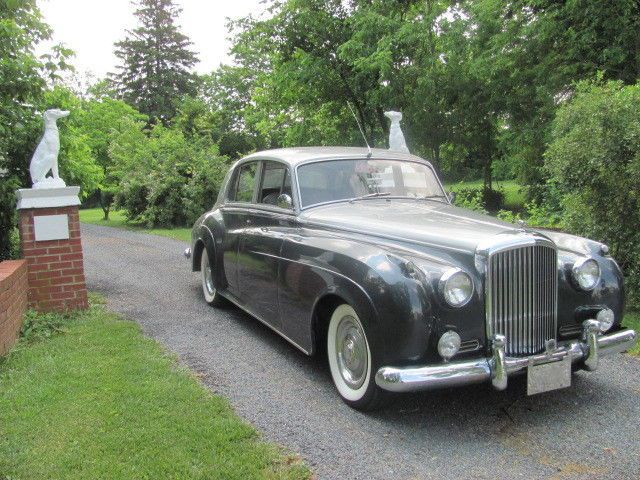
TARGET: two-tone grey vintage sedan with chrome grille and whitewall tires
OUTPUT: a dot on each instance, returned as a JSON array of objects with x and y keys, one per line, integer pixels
[{"x": 360, "y": 254}]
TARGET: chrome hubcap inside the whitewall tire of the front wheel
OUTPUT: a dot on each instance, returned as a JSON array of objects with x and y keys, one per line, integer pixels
[{"x": 351, "y": 352}]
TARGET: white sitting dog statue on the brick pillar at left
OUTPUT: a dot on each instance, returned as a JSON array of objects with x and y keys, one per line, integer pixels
[{"x": 45, "y": 158}]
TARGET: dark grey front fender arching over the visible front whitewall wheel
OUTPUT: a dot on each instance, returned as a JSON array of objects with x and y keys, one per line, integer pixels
[{"x": 384, "y": 288}]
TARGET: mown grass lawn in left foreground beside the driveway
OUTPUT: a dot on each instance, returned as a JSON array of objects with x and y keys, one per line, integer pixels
[{"x": 100, "y": 400}]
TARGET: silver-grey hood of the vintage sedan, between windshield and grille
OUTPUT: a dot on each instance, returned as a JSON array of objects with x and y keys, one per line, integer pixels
[{"x": 421, "y": 221}]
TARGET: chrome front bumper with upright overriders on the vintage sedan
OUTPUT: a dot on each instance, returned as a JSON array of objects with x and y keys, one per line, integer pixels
[{"x": 497, "y": 368}]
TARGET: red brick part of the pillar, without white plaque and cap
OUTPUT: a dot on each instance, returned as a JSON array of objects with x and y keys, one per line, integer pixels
[{"x": 55, "y": 267}]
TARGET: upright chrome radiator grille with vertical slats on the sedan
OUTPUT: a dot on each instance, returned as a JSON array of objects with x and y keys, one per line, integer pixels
[{"x": 522, "y": 297}]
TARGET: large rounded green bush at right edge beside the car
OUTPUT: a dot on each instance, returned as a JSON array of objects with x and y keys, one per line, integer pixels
[{"x": 594, "y": 160}]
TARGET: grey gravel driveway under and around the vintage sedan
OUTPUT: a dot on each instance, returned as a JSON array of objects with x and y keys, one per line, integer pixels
[{"x": 590, "y": 430}]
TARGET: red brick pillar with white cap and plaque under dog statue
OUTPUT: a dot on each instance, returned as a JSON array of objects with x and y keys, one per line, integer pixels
[{"x": 50, "y": 238}]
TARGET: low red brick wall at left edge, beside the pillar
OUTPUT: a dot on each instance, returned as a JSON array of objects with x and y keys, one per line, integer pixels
[{"x": 13, "y": 301}]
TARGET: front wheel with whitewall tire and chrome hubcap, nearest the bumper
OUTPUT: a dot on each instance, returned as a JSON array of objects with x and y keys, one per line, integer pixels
[{"x": 351, "y": 361}]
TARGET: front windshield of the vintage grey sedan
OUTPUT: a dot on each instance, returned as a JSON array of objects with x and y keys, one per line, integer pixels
[{"x": 345, "y": 179}]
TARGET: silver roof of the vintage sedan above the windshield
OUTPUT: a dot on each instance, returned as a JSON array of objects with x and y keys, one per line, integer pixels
[{"x": 296, "y": 155}]
